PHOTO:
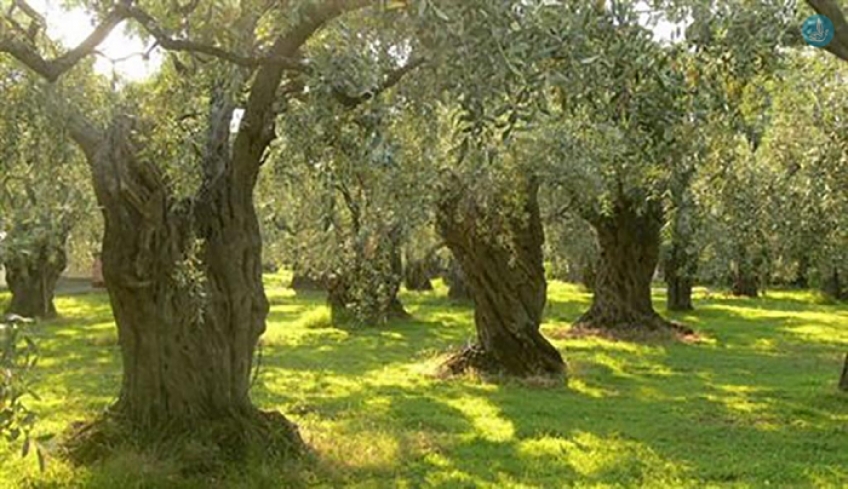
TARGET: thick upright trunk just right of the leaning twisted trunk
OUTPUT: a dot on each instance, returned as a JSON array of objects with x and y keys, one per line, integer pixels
[{"x": 629, "y": 242}]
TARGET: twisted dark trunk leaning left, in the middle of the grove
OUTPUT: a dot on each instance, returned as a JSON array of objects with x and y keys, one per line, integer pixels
[{"x": 507, "y": 284}]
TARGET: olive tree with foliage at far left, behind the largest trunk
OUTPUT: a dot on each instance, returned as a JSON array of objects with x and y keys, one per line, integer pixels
[{"x": 43, "y": 194}]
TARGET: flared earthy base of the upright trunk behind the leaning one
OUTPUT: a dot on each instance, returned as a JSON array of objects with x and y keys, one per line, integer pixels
[{"x": 631, "y": 327}]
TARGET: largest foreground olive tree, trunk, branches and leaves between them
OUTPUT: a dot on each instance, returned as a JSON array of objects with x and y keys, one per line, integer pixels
[{"x": 182, "y": 259}]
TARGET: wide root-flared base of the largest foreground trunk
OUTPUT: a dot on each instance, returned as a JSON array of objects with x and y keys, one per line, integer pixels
[{"x": 198, "y": 447}]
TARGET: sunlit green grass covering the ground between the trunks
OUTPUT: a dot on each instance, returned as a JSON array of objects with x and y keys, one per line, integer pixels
[{"x": 752, "y": 405}]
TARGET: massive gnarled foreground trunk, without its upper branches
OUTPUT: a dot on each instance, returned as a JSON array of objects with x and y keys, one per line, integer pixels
[{"x": 185, "y": 282}]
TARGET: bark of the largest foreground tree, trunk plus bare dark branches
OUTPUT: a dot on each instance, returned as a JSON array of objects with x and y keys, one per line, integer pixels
[{"x": 184, "y": 277}]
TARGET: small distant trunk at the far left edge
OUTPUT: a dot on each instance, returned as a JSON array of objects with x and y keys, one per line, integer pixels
[{"x": 32, "y": 281}]
